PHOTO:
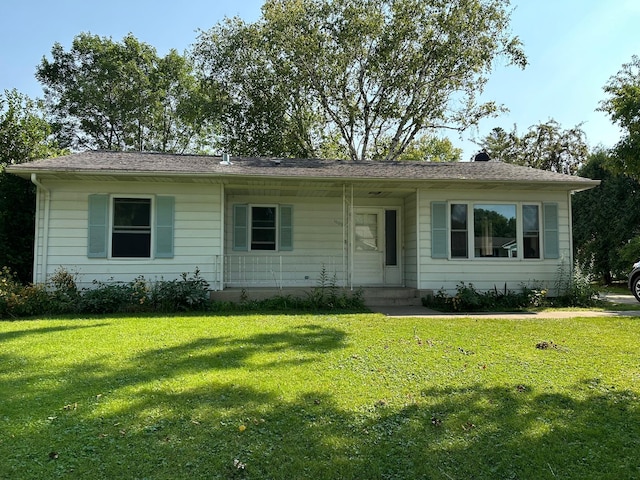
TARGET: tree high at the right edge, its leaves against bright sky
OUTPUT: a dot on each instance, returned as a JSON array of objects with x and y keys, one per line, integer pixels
[{"x": 623, "y": 107}]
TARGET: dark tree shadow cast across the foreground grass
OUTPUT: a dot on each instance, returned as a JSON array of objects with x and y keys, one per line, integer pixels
[{"x": 230, "y": 430}]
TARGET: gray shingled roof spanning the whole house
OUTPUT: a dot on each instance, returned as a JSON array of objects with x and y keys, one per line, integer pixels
[{"x": 137, "y": 163}]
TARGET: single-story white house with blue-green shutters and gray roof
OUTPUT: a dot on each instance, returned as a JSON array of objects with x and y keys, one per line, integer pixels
[{"x": 271, "y": 222}]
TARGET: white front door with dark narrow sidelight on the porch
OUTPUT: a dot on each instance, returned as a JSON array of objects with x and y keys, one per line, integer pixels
[{"x": 376, "y": 258}]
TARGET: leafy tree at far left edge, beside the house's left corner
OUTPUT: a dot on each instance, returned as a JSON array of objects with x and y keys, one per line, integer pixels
[{"x": 24, "y": 135}]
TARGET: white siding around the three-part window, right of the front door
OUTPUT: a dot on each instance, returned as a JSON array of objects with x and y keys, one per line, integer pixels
[{"x": 489, "y": 273}]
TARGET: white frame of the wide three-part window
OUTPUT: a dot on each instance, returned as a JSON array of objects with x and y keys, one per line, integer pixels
[{"x": 471, "y": 205}]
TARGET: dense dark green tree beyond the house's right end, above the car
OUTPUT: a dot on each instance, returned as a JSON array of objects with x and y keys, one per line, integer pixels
[{"x": 605, "y": 220}]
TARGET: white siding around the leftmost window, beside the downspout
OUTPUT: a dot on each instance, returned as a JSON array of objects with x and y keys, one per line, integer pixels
[{"x": 197, "y": 242}]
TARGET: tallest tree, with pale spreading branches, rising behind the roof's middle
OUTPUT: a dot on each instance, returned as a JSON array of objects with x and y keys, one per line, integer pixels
[{"x": 376, "y": 73}]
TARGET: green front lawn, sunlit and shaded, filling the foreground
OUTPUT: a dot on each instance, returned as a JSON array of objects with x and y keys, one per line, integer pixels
[{"x": 320, "y": 397}]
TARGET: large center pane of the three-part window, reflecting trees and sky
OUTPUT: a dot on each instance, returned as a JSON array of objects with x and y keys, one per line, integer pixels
[{"x": 495, "y": 231}]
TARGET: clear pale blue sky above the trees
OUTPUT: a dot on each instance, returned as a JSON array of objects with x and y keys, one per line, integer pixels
[{"x": 573, "y": 46}]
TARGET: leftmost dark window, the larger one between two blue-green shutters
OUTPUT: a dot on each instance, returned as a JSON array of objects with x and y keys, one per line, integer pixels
[{"x": 131, "y": 233}]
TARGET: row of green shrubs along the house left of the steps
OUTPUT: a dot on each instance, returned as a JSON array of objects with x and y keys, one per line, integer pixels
[{"x": 187, "y": 294}]
